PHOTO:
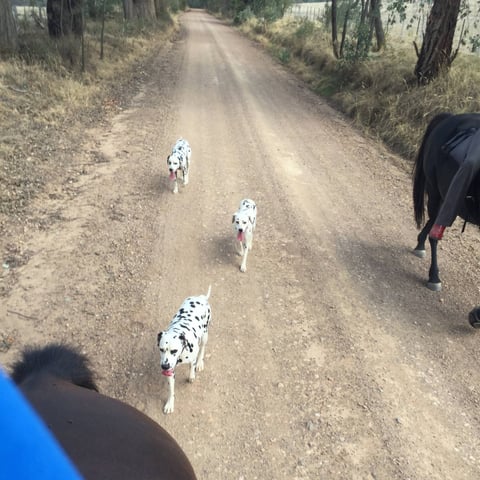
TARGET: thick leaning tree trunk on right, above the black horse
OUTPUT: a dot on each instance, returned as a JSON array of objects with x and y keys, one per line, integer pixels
[{"x": 435, "y": 56}]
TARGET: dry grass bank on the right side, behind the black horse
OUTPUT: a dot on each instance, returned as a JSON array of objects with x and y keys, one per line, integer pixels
[{"x": 381, "y": 93}]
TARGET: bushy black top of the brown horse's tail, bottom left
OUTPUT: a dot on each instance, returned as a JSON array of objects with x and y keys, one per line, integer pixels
[{"x": 61, "y": 361}]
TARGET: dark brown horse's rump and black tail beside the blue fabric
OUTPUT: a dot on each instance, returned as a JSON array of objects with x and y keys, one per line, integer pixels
[{"x": 103, "y": 437}]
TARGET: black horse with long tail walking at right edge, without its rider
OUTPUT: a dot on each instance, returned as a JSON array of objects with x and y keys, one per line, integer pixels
[{"x": 433, "y": 171}]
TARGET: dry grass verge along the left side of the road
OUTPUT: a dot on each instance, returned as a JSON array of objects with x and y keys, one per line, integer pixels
[{"x": 43, "y": 93}]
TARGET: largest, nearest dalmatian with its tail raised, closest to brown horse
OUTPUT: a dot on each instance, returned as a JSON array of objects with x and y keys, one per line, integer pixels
[{"x": 184, "y": 341}]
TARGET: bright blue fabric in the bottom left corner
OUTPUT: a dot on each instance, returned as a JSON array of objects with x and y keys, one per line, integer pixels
[{"x": 27, "y": 448}]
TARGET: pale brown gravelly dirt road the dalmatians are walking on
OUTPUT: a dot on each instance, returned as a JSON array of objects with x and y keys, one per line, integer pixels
[{"x": 328, "y": 358}]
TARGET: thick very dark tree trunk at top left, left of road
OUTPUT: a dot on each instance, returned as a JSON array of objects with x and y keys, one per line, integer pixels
[{"x": 64, "y": 17}]
